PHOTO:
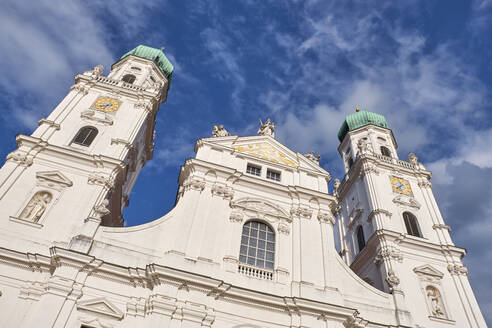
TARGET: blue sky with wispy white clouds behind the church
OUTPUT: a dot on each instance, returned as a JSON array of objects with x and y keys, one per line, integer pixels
[{"x": 425, "y": 65}]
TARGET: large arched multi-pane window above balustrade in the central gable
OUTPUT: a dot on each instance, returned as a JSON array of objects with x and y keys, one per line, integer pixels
[{"x": 257, "y": 245}]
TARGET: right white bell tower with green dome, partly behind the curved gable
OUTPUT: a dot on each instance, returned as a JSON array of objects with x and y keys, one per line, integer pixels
[{"x": 392, "y": 233}]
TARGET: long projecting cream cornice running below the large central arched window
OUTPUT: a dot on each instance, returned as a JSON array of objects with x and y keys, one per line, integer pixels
[{"x": 154, "y": 274}]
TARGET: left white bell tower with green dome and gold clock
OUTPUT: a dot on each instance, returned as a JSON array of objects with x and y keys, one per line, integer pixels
[{"x": 77, "y": 169}]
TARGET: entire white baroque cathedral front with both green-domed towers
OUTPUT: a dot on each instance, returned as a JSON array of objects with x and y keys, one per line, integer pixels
[{"x": 250, "y": 241}]
